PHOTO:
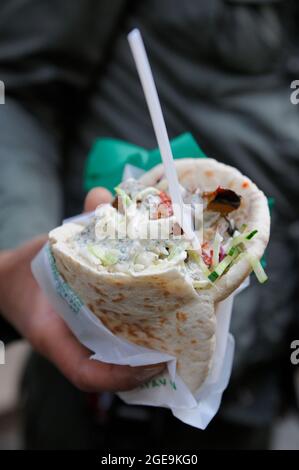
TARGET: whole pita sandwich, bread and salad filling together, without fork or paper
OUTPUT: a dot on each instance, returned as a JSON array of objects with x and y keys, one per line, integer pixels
[{"x": 133, "y": 267}]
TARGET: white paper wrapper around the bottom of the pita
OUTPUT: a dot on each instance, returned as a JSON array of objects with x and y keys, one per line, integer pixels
[{"x": 166, "y": 390}]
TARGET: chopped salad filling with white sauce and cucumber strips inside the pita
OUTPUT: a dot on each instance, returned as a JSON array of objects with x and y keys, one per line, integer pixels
[{"x": 139, "y": 233}]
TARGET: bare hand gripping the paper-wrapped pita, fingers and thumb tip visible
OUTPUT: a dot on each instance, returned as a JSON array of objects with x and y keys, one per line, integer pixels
[{"x": 27, "y": 309}]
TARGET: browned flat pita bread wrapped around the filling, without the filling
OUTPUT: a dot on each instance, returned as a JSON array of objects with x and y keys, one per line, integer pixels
[{"x": 162, "y": 310}]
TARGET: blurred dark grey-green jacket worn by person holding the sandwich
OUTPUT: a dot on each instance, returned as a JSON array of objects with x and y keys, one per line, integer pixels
[{"x": 223, "y": 72}]
